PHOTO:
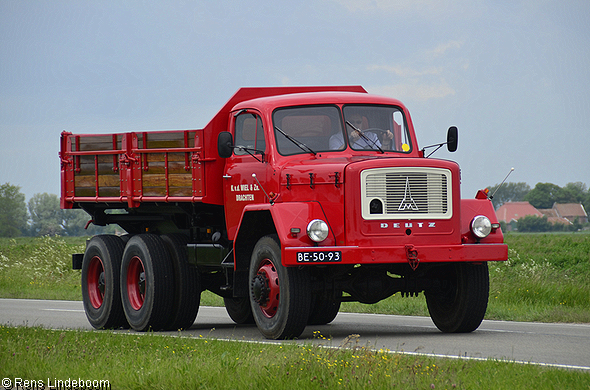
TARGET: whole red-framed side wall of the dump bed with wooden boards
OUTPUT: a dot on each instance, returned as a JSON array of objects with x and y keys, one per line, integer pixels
[{"x": 135, "y": 167}]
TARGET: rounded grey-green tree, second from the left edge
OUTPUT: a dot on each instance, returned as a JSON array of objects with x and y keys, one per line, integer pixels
[{"x": 46, "y": 216}]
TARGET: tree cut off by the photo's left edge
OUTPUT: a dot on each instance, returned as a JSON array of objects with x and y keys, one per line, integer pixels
[{"x": 13, "y": 211}]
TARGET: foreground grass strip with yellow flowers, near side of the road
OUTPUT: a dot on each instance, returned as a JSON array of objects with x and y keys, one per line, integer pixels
[{"x": 148, "y": 361}]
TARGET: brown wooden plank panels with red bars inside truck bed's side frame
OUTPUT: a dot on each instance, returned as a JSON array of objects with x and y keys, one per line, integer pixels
[{"x": 162, "y": 173}]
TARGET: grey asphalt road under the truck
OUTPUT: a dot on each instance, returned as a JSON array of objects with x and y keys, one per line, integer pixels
[{"x": 562, "y": 345}]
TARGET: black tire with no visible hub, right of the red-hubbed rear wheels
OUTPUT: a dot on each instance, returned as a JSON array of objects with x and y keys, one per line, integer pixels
[{"x": 187, "y": 286}]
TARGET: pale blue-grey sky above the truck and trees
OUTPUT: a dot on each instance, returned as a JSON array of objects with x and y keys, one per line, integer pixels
[{"x": 513, "y": 76}]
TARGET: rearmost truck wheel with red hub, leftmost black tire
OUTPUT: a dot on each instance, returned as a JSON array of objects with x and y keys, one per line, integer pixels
[{"x": 101, "y": 293}]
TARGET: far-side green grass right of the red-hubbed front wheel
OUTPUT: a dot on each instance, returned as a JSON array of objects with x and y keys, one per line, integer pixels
[{"x": 546, "y": 279}]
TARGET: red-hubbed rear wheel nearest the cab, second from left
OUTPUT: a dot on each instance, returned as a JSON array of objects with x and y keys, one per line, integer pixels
[{"x": 147, "y": 283}]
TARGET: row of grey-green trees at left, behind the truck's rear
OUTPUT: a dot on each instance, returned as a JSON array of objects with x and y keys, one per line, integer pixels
[{"x": 41, "y": 216}]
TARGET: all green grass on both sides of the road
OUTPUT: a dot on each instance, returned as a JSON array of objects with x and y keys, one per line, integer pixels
[{"x": 546, "y": 279}]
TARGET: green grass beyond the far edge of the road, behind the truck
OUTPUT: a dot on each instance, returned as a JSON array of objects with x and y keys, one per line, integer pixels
[{"x": 546, "y": 279}]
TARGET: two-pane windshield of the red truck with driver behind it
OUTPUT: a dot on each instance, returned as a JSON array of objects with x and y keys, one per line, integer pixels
[{"x": 324, "y": 128}]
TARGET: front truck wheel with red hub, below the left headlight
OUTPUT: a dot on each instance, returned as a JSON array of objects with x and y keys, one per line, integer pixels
[{"x": 279, "y": 296}]
